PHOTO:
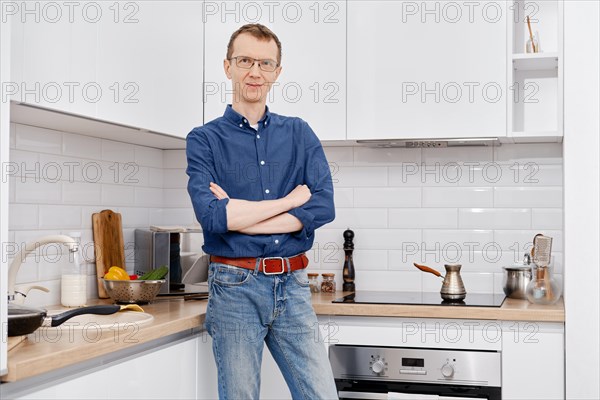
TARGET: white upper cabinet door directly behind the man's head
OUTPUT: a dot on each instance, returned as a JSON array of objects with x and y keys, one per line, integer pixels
[{"x": 312, "y": 84}]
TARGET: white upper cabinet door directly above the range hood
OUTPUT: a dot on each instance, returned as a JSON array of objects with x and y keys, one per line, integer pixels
[{"x": 426, "y": 69}]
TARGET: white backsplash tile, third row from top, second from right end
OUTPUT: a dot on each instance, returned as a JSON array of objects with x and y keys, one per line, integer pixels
[{"x": 457, "y": 197}]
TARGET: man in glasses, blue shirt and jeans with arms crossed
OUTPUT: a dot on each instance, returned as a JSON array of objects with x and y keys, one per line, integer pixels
[{"x": 260, "y": 186}]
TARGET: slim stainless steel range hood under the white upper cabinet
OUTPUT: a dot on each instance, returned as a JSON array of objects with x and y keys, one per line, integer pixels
[{"x": 430, "y": 143}]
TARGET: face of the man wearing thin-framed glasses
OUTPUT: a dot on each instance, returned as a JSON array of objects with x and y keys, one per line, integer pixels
[{"x": 251, "y": 85}]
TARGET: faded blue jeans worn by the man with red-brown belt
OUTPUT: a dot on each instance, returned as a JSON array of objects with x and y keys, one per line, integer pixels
[{"x": 247, "y": 309}]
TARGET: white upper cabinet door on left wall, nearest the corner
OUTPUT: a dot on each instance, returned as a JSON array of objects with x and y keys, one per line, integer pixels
[{"x": 150, "y": 65}]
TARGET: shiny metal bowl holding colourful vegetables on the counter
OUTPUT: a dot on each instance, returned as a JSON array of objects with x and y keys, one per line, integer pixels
[{"x": 137, "y": 291}]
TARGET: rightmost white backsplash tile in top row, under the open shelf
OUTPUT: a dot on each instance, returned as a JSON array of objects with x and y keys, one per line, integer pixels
[{"x": 540, "y": 153}]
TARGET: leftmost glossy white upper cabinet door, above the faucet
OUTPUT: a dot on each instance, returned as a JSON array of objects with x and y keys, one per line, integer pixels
[{"x": 53, "y": 56}]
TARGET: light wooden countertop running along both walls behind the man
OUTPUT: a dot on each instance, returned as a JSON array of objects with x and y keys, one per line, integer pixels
[{"x": 41, "y": 353}]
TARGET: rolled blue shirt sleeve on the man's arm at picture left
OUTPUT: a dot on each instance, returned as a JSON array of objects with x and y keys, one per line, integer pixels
[{"x": 210, "y": 212}]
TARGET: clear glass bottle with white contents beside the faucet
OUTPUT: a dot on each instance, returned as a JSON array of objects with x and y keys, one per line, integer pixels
[{"x": 73, "y": 283}]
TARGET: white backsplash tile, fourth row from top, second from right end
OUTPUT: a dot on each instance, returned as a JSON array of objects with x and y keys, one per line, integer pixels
[{"x": 490, "y": 218}]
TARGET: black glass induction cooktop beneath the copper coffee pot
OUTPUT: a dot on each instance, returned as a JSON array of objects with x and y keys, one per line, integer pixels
[{"x": 421, "y": 298}]
